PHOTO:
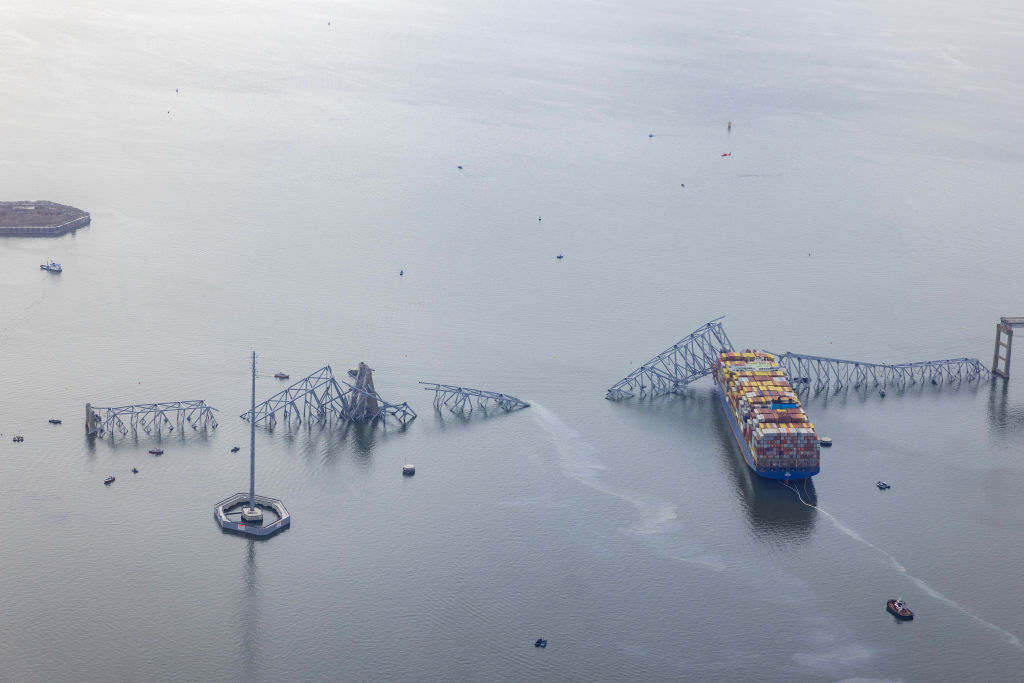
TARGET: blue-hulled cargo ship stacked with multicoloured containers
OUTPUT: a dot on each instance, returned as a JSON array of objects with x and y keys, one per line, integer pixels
[{"x": 771, "y": 426}]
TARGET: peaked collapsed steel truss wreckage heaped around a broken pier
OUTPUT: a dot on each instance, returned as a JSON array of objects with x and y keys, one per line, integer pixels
[{"x": 320, "y": 398}]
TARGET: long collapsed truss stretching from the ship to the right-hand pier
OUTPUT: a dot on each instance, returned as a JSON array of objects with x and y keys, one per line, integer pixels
[{"x": 836, "y": 373}]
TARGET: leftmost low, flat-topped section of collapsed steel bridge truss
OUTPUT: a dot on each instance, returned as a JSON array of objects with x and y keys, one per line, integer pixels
[{"x": 150, "y": 418}]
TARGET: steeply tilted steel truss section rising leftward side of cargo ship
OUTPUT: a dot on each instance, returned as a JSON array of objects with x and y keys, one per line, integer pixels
[{"x": 689, "y": 360}]
